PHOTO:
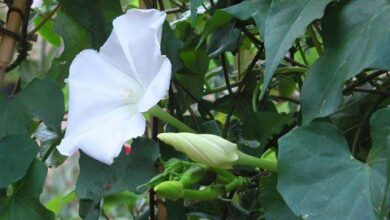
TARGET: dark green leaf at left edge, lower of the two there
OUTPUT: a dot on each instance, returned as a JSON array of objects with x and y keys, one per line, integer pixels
[{"x": 16, "y": 154}]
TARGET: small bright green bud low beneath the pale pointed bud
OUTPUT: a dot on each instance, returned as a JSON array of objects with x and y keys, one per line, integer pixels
[{"x": 172, "y": 190}]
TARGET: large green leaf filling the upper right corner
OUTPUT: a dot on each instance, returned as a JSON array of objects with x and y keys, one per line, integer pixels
[{"x": 356, "y": 38}]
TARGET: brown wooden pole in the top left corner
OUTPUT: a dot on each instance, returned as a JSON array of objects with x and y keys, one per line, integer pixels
[{"x": 8, "y": 43}]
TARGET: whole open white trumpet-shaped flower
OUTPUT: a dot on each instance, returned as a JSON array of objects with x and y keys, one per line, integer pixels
[{"x": 109, "y": 89}]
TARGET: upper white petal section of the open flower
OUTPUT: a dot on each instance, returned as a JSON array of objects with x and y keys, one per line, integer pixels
[{"x": 139, "y": 34}]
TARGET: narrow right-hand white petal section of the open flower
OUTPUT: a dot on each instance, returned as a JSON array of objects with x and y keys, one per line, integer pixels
[{"x": 158, "y": 88}]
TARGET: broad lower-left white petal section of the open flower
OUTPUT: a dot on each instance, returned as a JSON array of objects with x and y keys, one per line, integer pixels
[{"x": 101, "y": 104}]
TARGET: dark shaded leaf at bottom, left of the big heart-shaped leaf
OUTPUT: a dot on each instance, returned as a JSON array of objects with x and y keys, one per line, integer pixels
[{"x": 274, "y": 205}]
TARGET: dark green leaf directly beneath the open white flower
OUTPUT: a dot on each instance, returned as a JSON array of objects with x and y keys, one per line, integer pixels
[{"x": 97, "y": 180}]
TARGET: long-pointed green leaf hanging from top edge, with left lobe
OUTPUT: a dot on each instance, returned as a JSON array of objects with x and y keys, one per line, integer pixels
[{"x": 280, "y": 23}]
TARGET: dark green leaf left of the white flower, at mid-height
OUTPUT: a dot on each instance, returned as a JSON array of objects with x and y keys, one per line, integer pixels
[{"x": 42, "y": 98}]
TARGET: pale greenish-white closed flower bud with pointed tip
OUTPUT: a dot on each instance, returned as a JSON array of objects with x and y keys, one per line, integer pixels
[{"x": 211, "y": 150}]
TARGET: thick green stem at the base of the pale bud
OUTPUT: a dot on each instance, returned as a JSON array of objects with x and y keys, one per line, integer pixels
[{"x": 248, "y": 160}]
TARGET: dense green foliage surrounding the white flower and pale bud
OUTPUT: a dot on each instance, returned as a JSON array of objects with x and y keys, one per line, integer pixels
[{"x": 307, "y": 79}]
